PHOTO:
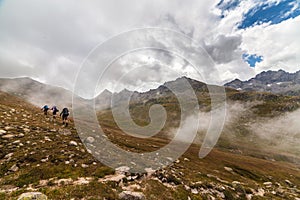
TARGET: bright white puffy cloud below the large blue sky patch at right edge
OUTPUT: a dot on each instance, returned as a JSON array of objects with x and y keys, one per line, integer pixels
[{"x": 278, "y": 44}]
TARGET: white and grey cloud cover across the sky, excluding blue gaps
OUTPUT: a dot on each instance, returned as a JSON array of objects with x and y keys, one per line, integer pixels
[{"x": 48, "y": 40}]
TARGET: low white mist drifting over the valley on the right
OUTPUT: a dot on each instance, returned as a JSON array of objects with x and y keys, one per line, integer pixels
[{"x": 247, "y": 133}]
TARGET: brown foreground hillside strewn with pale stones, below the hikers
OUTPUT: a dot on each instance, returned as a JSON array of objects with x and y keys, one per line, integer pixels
[{"x": 40, "y": 155}]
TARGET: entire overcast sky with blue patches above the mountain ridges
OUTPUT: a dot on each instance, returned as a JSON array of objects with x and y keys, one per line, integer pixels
[{"x": 51, "y": 40}]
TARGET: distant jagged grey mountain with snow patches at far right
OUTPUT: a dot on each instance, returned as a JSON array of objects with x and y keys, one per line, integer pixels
[{"x": 278, "y": 82}]
